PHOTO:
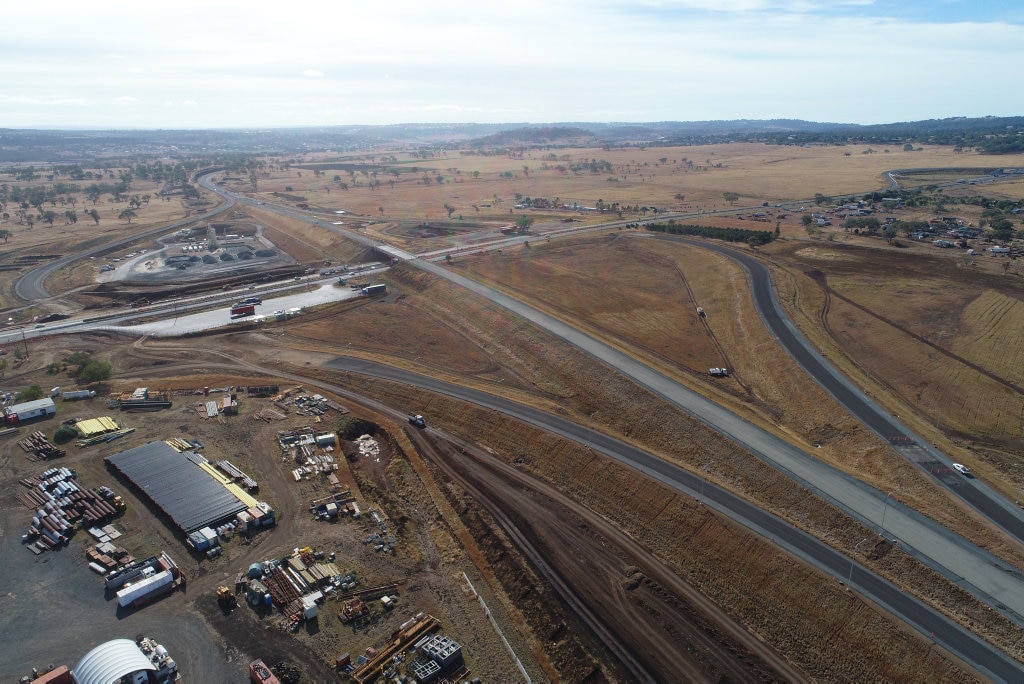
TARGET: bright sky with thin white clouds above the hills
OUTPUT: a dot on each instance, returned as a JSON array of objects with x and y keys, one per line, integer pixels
[{"x": 227, "y": 64}]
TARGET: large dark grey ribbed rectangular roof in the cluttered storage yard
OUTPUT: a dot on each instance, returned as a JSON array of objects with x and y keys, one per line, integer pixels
[{"x": 178, "y": 486}]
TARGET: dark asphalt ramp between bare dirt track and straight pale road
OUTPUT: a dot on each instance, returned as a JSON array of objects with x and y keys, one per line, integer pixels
[{"x": 984, "y": 657}]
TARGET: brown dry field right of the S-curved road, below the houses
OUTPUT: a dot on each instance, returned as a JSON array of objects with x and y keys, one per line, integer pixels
[{"x": 936, "y": 343}]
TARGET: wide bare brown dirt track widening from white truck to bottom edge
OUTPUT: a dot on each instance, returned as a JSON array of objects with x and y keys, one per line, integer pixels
[{"x": 656, "y": 625}]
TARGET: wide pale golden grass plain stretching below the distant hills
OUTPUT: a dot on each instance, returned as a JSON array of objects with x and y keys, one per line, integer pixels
[{"x": 628, "y": 177}]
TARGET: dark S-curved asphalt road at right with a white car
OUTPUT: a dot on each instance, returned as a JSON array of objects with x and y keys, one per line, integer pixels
[{"x": 975, "y": 493}]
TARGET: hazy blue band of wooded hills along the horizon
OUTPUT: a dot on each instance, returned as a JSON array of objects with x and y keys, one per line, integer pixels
[{"x": 992, "y": 136}]
